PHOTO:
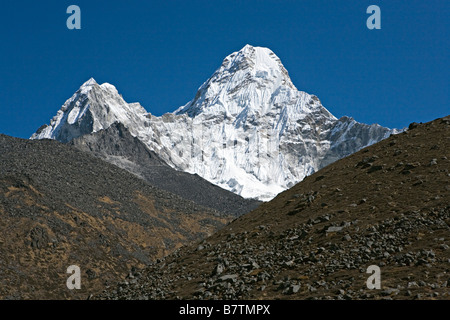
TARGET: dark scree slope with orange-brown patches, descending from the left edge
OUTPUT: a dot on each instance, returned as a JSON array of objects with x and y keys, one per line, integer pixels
[{"x": 61, "y": 207}]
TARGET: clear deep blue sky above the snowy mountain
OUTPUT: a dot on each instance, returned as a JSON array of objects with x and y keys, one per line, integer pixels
[{"x": 159, "y": 52}]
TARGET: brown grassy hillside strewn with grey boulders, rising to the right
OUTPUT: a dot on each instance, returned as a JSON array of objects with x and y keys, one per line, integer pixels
[{"x": 387, "y": 205}]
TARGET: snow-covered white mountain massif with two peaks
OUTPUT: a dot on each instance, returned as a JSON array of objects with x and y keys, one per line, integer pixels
[{"x": 248, "y": 129}]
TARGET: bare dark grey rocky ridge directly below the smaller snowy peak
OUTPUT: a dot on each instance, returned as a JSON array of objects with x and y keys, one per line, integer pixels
[{"x": 117, "y": 146}]
